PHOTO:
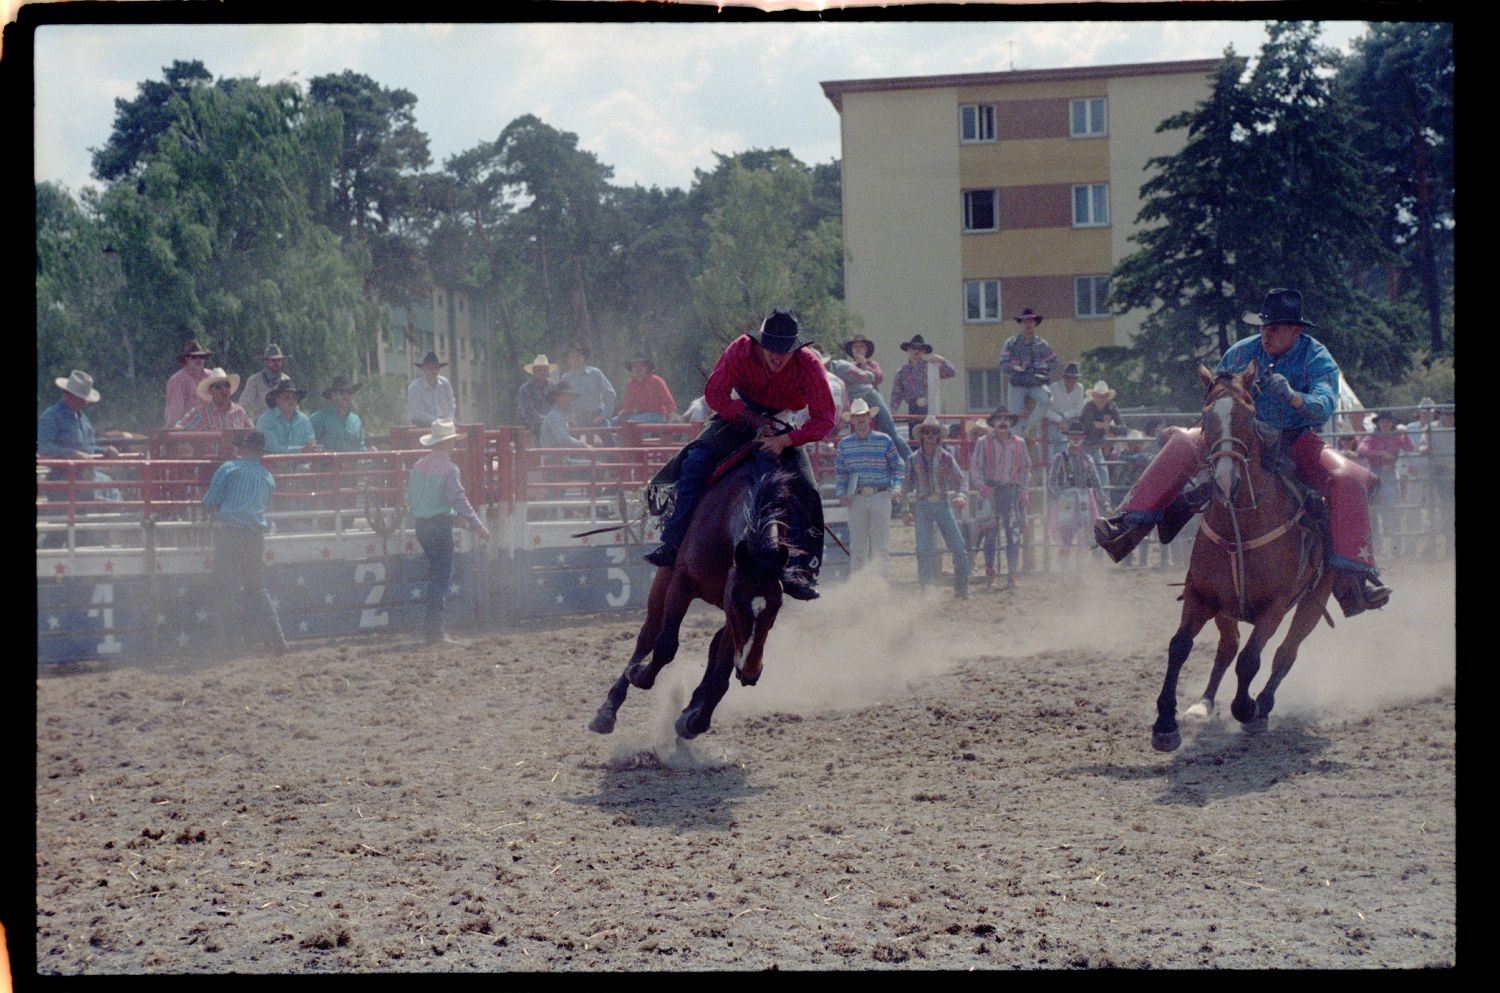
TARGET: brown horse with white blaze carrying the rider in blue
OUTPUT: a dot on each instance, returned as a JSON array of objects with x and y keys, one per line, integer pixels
[{"x": 1252, "y": 562}]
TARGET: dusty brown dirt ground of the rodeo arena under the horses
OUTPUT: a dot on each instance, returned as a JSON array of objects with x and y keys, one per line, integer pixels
[{"x": 916, "y": 784}]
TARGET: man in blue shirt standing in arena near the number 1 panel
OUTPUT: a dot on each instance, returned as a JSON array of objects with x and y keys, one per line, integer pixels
[{"x": 241, "y": 493}]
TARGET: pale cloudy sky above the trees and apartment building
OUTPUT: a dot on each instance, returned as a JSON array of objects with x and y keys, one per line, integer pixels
[{"x": 652, "y": 100}]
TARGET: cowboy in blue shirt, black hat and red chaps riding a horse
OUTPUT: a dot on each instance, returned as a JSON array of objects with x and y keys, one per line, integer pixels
[{"x": 1298, "y": 394}]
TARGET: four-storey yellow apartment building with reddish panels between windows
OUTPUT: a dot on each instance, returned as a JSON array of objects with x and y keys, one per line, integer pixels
[{"x": 971, "y": 197}]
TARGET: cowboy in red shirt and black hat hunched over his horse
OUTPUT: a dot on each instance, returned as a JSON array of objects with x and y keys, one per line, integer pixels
[{"x": 770, "y": 374}]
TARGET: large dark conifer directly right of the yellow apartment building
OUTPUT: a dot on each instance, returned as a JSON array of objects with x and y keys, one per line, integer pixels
[{"x": 1270, "y": 190}]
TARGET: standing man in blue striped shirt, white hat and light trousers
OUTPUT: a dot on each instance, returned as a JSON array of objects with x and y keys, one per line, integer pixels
[{"x": 868, "y": 479}]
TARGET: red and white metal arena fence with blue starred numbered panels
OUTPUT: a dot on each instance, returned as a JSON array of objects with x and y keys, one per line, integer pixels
[{"x": 124, "y": 560}]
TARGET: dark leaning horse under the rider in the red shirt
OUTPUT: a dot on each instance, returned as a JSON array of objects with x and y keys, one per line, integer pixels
[{"x": 733, "y": 557}]
